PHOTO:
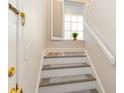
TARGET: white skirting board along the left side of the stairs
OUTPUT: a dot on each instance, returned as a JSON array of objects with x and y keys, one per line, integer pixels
[{"x": 39, "y": 73}]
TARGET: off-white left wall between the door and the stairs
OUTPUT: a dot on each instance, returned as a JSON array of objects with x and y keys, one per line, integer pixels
[{"x": 35, "y": 39}]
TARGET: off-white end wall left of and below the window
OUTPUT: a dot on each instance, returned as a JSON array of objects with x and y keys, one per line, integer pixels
[{"x": 61, "y": 44}]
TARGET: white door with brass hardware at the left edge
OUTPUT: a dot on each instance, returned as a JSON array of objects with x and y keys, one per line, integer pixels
[{"x": 12, "y": 44}]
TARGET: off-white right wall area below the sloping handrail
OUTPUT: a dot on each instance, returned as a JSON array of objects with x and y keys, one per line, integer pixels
[{"x": 105, "y": 70}]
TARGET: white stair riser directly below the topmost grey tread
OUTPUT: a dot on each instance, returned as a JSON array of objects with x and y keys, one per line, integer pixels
[{"x": 65, "y": 60}]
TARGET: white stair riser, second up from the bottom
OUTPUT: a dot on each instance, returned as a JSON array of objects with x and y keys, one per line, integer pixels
[{"x": 65, "y": 72}]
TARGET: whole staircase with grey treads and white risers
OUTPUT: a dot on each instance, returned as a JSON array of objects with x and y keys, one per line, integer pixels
[{"x": 69, "y": 73}]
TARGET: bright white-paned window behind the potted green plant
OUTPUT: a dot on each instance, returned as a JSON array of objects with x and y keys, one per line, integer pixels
[{"x": 73, "y": 23}]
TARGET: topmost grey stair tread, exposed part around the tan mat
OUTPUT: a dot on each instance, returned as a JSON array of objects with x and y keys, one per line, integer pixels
[{"x": 67, "y": 54}]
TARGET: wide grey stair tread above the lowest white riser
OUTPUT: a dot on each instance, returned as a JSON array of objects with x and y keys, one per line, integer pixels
[{"x": 66, "y": 80}]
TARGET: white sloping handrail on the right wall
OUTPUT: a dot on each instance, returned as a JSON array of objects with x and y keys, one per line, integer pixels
[{"x": 102, "y": 46}]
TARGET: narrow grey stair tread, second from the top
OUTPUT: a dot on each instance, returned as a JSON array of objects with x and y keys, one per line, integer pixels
[{"x": 66, "y": 65}]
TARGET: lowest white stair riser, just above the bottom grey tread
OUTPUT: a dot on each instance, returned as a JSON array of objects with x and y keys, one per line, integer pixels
[{"x": 68, "y": 87}]
